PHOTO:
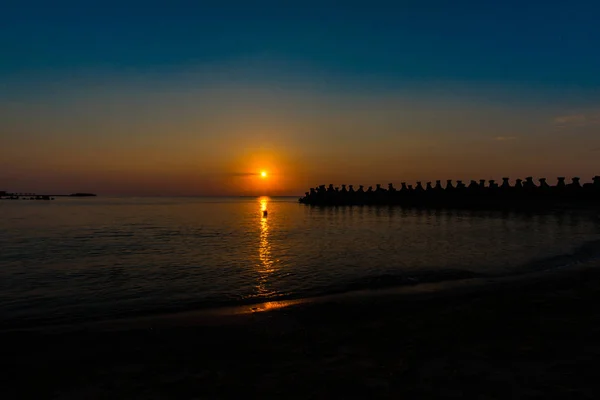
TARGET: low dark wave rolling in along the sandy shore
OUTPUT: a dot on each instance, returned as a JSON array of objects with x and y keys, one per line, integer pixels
[{"x": 585, "y": 253}]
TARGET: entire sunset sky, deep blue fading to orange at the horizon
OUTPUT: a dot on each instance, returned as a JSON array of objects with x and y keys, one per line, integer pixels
[{"x": 199, "y": 97}]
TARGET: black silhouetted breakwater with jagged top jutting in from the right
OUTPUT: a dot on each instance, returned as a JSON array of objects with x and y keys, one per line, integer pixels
[{"x": 476, "y": 194}]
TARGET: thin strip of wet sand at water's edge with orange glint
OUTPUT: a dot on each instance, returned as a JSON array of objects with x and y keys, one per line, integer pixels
[{"x": 228, "y": 314}]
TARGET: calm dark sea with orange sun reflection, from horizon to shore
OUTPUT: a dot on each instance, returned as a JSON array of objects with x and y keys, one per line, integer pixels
[{"x": 87, "y": 259}]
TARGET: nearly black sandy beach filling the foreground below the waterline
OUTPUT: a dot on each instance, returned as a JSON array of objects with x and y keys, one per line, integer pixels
[{"x": 533, "y": 338}]
